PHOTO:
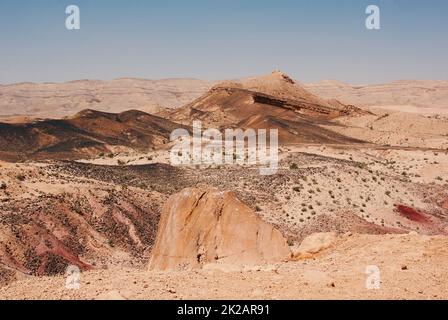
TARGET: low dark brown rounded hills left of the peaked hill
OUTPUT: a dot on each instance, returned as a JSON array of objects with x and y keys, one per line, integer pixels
[{"x": 88, "y": 133}]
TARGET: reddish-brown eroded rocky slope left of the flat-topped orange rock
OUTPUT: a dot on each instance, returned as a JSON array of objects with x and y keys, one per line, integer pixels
[{"x": 50, "y": 219}]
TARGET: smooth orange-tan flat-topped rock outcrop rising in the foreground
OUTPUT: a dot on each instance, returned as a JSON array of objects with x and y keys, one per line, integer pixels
[{"x": 200, "y": 227}]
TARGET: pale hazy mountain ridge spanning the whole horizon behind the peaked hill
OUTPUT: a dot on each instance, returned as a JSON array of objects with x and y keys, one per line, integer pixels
[{"x": 57, "y": 100}]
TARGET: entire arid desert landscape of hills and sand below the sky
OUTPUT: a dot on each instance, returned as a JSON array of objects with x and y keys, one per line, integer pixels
[{"x": 86, "y": 181}]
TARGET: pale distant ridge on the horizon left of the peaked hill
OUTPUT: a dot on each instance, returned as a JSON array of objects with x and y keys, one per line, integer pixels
[{"x": 57, "y": 100}]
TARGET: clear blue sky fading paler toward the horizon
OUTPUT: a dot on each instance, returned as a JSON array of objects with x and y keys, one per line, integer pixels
[{"x": 219, "y": 39}]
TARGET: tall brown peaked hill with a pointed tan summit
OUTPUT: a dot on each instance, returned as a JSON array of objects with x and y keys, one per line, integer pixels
[{"x": 270, "y": 102}]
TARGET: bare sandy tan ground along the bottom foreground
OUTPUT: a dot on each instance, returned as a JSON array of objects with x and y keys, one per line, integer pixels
[{"x": 411, "y": 267}]
